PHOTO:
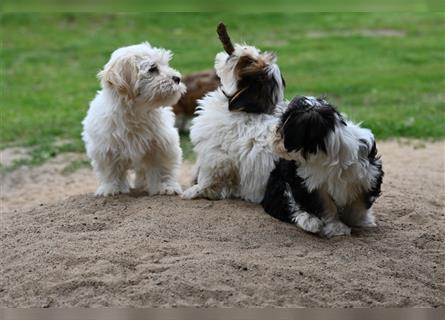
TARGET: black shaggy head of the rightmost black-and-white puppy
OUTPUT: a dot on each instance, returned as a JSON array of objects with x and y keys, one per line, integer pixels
[{"x": 305, "y": 127}]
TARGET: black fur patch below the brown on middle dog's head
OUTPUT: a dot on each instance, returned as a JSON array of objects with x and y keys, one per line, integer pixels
[{"x": 256, "y": 94}]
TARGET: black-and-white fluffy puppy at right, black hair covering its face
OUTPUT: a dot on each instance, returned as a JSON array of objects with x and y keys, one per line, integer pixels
[{"x": 329, "y": 174}]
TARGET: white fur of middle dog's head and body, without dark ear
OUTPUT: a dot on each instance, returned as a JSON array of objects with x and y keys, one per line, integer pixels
[{"x": 234, "y": 158}]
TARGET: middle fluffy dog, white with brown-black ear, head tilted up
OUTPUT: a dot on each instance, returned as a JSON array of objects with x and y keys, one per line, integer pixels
[{"x": 230, "y": 132}]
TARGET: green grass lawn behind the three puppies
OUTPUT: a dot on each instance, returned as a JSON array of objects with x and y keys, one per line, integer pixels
[{"x": 386, "y": 70}]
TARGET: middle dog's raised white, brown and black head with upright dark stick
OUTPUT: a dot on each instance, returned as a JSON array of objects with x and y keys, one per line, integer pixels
[{"x": 251, "y": 79}]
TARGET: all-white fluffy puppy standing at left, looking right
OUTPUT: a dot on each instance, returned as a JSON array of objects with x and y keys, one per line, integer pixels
[{"x": 127, "y": 126}]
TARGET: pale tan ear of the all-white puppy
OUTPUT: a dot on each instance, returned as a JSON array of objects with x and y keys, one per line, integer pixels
[{"x": 121, "y": 75}]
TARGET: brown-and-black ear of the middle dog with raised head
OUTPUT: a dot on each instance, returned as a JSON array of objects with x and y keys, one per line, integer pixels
[{"x": 256, "y": 87}]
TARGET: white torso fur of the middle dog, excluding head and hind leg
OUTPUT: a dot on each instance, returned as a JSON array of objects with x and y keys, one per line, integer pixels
[{"x": 238, "y": 138}]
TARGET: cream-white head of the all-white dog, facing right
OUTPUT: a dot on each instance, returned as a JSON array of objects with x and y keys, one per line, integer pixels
[{"x": 140, "y": 75}]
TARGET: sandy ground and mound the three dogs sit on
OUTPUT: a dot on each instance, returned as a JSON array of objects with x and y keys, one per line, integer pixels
[{"x": 61, "y": 246}]
